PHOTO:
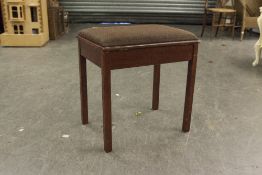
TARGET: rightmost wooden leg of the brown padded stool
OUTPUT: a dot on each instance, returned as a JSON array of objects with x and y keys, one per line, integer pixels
[{"x": 189, "y": 91}]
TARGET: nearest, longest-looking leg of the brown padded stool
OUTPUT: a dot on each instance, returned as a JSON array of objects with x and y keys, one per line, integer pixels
[{"x": 107, "y": 114}]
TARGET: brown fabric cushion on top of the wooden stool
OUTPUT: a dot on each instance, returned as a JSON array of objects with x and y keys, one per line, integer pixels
[{"x": 135, "y": 35}]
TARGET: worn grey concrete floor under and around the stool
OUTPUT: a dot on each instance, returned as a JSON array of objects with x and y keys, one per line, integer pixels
[{"x": 39, "y": 103}]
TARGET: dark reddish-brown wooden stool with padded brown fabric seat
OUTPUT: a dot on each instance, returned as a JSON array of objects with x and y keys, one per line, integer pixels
[{"x": 121, "y": 47}]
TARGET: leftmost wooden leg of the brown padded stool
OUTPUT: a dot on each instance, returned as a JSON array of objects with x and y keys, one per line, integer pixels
[{"x": 83, "y": 90}]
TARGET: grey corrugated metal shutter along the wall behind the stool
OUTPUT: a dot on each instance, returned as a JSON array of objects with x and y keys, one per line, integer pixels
[{"x": 136, "y": 11}]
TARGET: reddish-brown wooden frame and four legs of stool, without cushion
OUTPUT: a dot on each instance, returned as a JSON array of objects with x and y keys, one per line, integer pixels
[{"x": 110, "y": 58}]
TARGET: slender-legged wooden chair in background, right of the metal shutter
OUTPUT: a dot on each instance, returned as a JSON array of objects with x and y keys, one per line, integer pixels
[{"x": 224, "y": 12}]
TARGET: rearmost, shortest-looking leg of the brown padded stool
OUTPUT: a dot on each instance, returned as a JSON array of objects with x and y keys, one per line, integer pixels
[{"x": 156, "y": 84}]
